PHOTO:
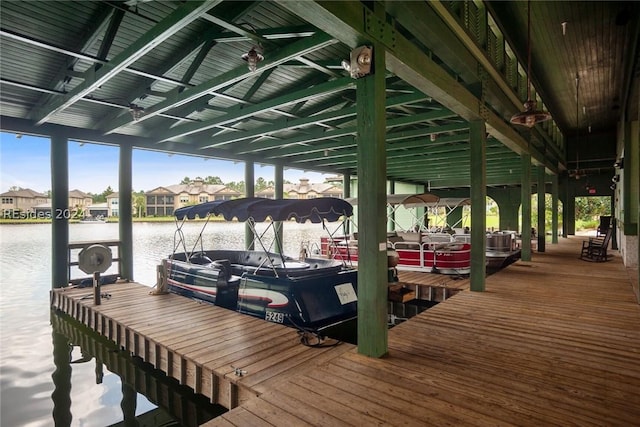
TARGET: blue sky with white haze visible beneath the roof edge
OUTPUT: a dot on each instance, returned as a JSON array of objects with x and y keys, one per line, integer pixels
[{"x": 25, "y": 162}]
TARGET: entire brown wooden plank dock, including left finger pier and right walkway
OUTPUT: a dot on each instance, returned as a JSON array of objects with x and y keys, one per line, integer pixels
[{"x": 555, "y": 341}]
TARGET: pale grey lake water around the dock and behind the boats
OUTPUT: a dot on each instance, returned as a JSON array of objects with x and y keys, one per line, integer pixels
[{"x": 34, "y": 385}]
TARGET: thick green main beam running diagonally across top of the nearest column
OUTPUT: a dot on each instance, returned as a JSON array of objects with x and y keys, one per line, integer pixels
[{"x": 344, "y": 20}]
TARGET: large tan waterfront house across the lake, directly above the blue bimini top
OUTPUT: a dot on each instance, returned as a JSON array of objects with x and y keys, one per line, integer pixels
[{"x": 163, "y": 201}]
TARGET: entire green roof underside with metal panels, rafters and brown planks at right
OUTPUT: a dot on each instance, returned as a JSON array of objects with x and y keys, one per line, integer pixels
[{"x": 170, "y": 76}]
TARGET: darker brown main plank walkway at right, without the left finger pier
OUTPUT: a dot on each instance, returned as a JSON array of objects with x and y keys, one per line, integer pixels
[{"x": 555, "y": 341}]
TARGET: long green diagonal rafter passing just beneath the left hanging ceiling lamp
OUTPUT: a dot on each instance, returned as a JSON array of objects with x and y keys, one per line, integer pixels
[{"x": 300, "y": 47}]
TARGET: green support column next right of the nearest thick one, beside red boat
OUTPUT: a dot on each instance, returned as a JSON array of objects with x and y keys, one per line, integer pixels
[{"x": 478, "y": 153}]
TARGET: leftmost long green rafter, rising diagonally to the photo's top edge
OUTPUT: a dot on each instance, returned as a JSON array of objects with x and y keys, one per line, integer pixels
[{"x": 182, "y": 16}]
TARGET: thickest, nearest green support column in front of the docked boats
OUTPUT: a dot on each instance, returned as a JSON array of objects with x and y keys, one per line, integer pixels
[{"x": 372, "y": 238}]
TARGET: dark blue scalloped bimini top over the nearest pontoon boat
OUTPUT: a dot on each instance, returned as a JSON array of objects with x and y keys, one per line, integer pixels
[{"x": 259, "y": 209}]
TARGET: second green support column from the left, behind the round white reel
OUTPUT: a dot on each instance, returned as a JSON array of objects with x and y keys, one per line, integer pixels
[{"x": 125, "y": 220}]
